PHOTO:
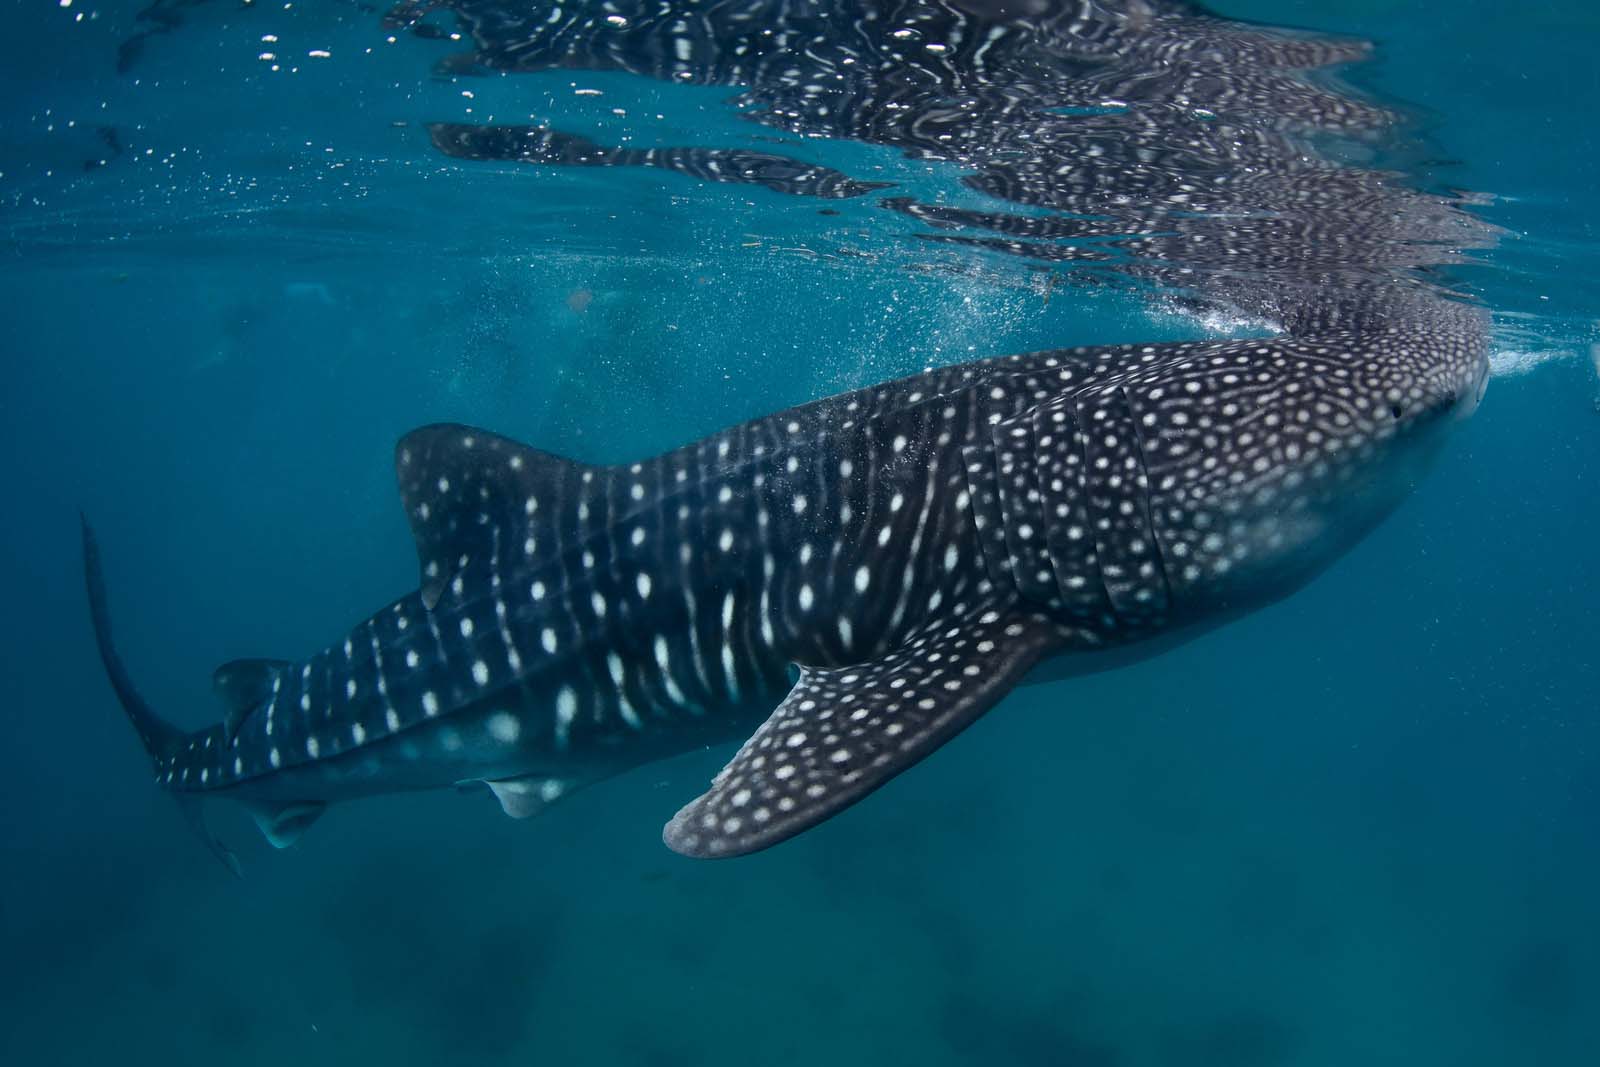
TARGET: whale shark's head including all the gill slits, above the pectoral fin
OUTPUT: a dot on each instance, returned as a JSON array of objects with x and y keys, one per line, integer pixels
[{"x": 1223, "y": 474}]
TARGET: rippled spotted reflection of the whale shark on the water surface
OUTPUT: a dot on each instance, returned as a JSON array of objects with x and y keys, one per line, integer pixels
[{"x": 1145, "y": 138}]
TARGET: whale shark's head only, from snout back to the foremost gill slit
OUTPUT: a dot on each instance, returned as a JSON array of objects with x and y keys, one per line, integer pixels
[{"x": 1260, "y": 478}]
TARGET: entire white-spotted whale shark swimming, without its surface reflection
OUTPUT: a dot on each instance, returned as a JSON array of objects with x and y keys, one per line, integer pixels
[{"x": 913, "y": 548}]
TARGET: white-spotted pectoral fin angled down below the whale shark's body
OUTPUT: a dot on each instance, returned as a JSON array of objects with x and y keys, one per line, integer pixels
[{"x": 844, "y": 732}]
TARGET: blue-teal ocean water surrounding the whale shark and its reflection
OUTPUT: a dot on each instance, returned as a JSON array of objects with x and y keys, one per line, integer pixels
[{"x": 1358, "y": 826}]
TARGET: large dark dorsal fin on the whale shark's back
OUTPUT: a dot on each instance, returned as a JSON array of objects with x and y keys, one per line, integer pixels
[{"x": 471, "y": 495}]
